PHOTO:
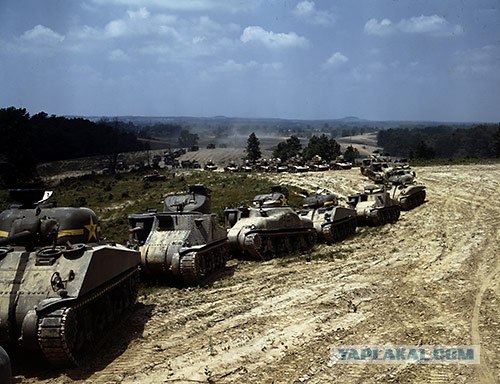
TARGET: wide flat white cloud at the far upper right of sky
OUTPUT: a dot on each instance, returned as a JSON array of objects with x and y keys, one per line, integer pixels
[{"x": 433, "y": 25}]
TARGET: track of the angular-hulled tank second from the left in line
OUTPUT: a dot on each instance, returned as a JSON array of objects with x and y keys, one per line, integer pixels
[{"x": 198, "y": 265}]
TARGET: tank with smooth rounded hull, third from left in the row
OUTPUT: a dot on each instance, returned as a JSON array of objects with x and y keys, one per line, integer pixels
[{"x": 268, "y": 229}]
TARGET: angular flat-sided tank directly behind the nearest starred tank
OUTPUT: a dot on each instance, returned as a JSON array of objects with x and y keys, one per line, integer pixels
[{"x": 184, "y": 244}]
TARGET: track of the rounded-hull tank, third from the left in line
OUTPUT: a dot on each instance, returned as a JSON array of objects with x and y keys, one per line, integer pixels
[{"x": 267, "y": 245}]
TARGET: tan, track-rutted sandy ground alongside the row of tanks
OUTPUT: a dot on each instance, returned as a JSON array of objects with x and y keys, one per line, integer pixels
[{"x": 432, "y": 278}]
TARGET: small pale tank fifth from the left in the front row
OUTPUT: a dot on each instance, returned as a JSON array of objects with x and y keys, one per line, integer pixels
[{"x": 374, "y": 206}]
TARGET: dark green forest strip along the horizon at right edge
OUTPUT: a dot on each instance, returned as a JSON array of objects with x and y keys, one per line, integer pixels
[{"x": 442, "y": 142}]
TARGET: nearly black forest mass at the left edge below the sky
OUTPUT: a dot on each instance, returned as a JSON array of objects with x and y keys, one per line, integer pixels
[{"x": 27, "y": 141}]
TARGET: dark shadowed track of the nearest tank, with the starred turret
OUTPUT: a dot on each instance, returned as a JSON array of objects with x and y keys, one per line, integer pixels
[{"x": 67, "y": 334}]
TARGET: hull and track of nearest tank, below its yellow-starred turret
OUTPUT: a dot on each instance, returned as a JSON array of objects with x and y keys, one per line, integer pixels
[{"x": 61, "y": 301}]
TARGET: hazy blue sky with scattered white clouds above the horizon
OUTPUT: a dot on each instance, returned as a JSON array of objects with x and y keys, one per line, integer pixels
[{"x": 374, "y": 59}]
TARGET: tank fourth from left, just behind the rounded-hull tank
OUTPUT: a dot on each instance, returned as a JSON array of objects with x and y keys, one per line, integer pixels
[{"x": 332, "y": 222}]
